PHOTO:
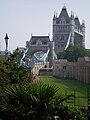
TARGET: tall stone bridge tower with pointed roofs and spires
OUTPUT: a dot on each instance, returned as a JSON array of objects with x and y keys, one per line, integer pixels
[{"x": 67, "y": 30}]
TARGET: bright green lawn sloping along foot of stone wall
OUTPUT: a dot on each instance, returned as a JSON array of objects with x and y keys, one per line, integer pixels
[{"x": 69, "y": 86}]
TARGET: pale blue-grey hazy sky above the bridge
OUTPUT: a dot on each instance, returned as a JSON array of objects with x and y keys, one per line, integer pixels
[{"x": 21, "y": 18}]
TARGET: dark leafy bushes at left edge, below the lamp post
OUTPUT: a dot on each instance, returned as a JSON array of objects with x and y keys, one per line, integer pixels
[{"x": 11, "y": 73}]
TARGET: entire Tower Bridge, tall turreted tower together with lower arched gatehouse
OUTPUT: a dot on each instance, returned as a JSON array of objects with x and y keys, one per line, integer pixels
[{"x": 66, "y": 30}]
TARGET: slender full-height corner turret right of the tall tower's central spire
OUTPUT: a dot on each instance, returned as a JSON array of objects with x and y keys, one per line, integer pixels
[{"x": 72, "y": 23}]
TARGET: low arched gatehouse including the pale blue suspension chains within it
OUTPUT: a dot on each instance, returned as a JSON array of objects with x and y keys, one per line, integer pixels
[{"x": 39, "y": 49}]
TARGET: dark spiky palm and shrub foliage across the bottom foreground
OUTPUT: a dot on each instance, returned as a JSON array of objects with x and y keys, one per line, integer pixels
[{"x": 36, "y": 101}]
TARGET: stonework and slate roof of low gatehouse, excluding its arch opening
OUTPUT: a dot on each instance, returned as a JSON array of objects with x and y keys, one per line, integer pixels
[{"x": 41, "y": 43}]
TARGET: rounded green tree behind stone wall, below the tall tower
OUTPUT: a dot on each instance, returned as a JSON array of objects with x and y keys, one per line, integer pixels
[{"x": 72, "y": 53}]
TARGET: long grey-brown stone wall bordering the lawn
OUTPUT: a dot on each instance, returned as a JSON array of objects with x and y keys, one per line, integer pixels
[{"x": 79, "y": 70}]
